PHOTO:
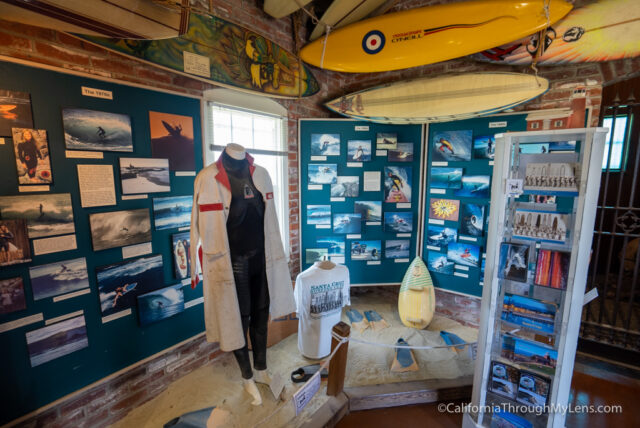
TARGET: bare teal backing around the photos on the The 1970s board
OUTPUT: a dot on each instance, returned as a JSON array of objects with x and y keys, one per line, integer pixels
[{"x": 113, "y": 345}]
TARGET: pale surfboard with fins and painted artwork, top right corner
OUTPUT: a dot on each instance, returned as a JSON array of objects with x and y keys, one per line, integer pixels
[{"x": 602, "y": 31}]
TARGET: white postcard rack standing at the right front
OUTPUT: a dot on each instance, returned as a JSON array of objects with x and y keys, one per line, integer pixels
[{"x": 544, "y": 197}]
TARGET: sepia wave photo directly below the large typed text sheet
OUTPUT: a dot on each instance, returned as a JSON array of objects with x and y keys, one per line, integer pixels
[{"x": 119, "y": 228}]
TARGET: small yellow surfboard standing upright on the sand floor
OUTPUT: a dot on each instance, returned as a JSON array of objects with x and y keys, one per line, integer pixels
[{"x": 417, "y": 299}]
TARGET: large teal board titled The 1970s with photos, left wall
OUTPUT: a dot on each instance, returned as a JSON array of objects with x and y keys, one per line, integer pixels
[{"x": 78, "y": 301}]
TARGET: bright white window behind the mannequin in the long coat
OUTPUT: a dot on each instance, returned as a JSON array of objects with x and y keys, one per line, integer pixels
[{"x": 263, "y": 136}]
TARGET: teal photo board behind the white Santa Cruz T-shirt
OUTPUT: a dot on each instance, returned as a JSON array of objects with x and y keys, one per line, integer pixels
[{"x": 388, "y": 263}]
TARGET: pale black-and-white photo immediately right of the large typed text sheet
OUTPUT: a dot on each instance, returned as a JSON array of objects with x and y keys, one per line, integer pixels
[{"x": 144, "y": 175}]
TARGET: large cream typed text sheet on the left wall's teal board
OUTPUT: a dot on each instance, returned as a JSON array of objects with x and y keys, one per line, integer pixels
[{"x": 97, "y": 188}]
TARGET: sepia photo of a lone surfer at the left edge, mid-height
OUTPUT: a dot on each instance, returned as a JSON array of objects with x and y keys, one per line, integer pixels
[{"x": 46, "y": 214}]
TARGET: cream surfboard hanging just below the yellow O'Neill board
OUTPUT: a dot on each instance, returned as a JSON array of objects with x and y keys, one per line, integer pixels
[{"x": 440, "y": 99}]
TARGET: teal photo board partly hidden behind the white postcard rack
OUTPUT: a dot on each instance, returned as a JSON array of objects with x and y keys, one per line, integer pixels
[{"x": 457, "y": 196}]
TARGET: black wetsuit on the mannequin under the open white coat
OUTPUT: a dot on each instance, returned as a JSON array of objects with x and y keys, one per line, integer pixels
[{"x": 245, "y": 229}]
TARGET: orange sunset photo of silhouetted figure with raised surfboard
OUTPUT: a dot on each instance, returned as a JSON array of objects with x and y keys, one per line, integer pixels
[{"x": 172, "y": 138}]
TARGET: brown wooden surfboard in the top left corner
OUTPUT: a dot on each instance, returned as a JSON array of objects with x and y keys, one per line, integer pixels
[{"x": 130, "y": 19}]
